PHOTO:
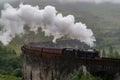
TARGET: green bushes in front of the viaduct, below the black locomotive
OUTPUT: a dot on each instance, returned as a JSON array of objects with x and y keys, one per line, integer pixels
[{"x": 84, "y": 75}]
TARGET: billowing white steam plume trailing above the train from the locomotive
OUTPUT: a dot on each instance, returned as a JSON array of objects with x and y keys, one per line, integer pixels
[{"x": 48, "y": 19}]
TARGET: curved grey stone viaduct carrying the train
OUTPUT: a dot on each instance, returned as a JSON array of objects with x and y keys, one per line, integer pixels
[{"x": 43, "y": 66}]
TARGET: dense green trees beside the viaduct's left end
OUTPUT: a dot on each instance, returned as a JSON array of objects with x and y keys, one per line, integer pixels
[{"x": 10, "y": 64}]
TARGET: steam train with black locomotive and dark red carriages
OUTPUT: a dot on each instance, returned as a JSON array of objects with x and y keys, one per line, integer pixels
[{"x": 83, "y": 53}]
